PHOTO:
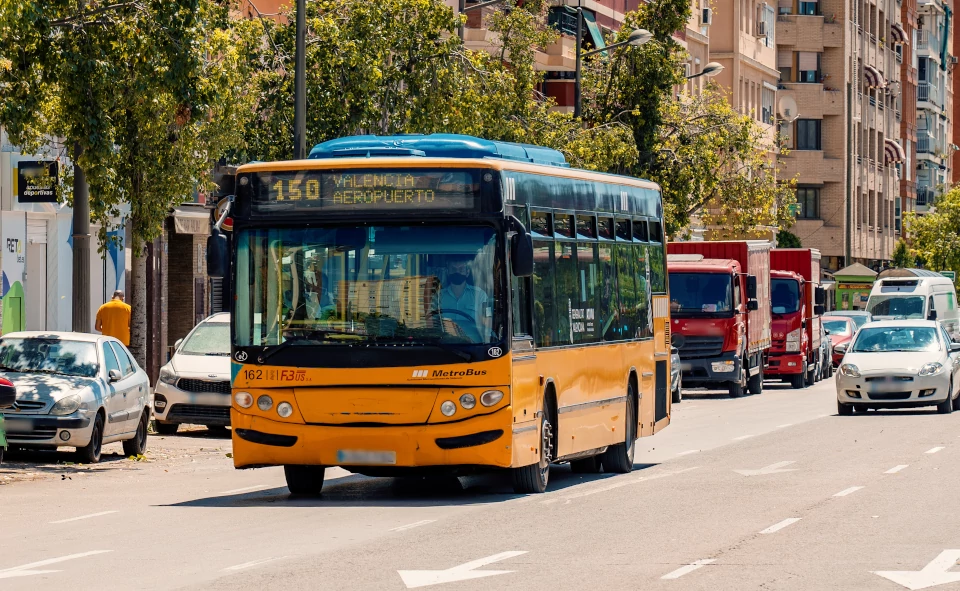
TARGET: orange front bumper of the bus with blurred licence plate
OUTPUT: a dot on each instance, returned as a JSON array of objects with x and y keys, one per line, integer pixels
[{"x": 484, "y": 440}]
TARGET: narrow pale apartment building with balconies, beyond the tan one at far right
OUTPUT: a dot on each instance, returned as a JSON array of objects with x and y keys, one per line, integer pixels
[{"x": 934, "y": 63}]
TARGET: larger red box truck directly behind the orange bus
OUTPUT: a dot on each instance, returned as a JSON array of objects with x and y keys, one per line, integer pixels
[{"x": 720, "y": 310}]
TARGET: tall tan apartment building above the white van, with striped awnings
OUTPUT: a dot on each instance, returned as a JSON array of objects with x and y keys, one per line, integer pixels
[{"x": 839, "y": 62}]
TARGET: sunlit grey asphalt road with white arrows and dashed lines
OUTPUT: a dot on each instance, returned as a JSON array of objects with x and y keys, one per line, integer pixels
[{"x": 765, "y": 492}]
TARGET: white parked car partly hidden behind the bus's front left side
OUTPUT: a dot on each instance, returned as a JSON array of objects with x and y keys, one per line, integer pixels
[{"x": 194, "y": 387}]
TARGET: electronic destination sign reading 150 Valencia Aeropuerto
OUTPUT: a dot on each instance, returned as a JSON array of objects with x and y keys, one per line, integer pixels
[{"x": 390, "y": 190}]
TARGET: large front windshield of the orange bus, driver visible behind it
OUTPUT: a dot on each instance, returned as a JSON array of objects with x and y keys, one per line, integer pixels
[{"x": 368, "y": 285}]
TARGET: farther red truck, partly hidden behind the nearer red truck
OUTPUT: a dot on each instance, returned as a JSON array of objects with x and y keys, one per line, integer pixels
[{"x": 797, "y": 304}]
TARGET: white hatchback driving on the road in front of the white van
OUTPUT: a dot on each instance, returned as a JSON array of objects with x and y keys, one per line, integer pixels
[{"x": 899, "y": 364}]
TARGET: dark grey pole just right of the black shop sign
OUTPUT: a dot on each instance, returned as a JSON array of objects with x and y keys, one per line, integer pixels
[{"x": 81, "y": 246}]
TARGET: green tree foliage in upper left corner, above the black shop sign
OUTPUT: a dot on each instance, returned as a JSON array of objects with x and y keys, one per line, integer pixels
[{"x": 144, "y": 95}]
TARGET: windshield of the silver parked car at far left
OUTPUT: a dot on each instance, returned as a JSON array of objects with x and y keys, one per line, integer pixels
[{"x": 49, "y": 355}]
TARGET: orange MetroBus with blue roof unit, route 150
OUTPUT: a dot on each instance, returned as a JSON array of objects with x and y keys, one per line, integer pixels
[{"x": 414, "y": 304}]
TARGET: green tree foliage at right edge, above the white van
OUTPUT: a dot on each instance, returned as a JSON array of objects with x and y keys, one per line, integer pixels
[{"x": 935, "y": 236}]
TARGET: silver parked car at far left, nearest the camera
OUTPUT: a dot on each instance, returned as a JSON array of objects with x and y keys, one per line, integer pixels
[{"x": 75, "y": 389}]
